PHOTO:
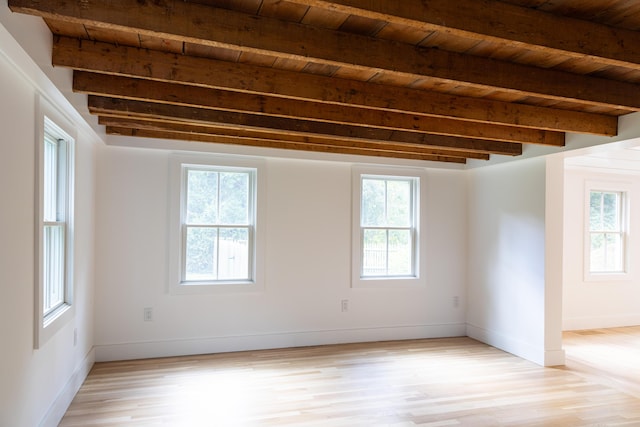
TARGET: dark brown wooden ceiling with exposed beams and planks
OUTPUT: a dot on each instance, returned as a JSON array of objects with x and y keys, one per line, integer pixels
[{"x": 429, "y": 80}]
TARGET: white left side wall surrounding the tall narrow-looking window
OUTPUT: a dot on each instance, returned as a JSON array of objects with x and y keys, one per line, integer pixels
[{"x": 37, "y": 385}]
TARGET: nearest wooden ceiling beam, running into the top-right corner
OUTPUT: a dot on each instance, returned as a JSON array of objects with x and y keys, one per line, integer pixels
[{"x": 491, "y": 20}]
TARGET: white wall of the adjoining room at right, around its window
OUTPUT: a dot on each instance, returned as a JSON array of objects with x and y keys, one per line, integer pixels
[{"x": 598, "y": 304}]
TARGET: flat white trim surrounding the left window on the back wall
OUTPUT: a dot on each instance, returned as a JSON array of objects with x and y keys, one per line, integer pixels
[{"x": 177, "y": 162}]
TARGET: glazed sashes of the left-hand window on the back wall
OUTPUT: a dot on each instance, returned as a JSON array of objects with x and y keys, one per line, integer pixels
[{"x": 218, "y": 225}]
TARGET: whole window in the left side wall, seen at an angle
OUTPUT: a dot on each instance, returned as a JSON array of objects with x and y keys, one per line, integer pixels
[{"x": 55, "y": 243}]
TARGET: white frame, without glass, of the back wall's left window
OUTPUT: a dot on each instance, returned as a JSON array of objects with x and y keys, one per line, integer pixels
[{"x": 179, "y": 164}]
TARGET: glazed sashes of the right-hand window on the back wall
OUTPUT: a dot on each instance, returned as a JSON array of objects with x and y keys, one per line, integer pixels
[{"x": 388, "y": 222}]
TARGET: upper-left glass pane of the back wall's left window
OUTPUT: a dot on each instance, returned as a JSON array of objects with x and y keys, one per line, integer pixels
[{"x": 202, "y": 197}]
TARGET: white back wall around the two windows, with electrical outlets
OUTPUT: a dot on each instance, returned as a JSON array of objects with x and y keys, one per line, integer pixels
[{"x": 308, "y": 246}]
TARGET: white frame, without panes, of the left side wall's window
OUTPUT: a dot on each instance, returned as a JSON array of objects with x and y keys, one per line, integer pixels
[{"x": 52, "y": 123}]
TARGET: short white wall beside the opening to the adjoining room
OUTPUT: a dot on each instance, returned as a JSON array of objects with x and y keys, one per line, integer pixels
[{"x": 506, "y": 279}]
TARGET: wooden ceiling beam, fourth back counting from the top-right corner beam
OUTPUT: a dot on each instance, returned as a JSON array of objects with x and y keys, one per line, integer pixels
[{"x": 323, "y": 114}]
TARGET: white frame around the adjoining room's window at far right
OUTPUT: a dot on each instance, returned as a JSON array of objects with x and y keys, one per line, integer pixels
[{"x": 624, "y": 188}]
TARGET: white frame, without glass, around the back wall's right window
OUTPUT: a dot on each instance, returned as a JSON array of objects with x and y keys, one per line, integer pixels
[{"x": 417, "y": 278}]
